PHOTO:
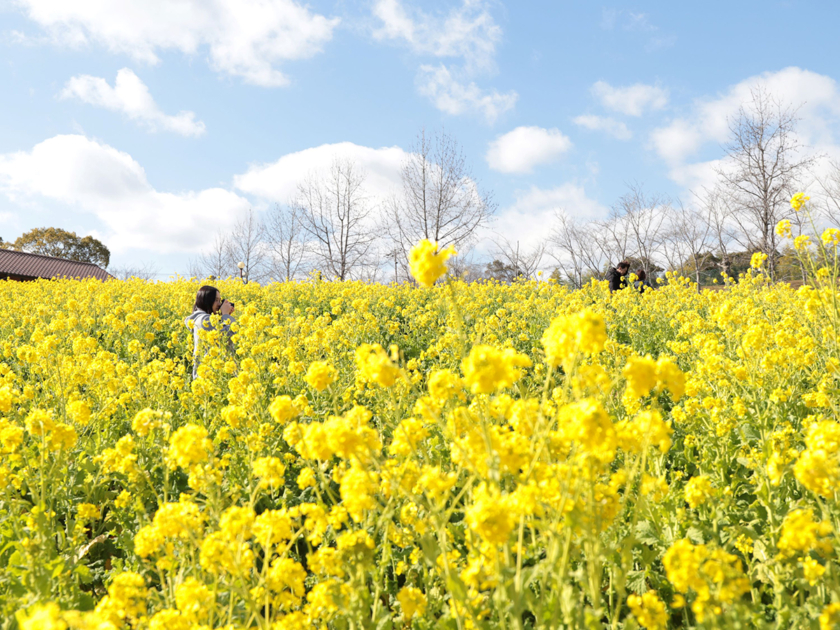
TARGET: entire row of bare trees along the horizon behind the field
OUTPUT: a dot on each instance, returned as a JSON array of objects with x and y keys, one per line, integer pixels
[{"x": 332, "y": 226}]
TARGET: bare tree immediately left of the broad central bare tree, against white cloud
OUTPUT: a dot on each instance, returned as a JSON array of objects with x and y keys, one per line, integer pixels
[{"x": 337, "y": 216}]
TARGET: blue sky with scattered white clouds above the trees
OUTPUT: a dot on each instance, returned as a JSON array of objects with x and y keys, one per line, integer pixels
[{"x": 225, "y": 104}]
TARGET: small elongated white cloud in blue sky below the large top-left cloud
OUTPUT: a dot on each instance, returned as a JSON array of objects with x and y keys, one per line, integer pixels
[{"x": 131, "y": 97}]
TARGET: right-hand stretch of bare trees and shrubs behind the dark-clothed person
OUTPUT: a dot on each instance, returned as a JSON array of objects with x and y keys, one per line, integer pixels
[{"x": 726, "y": 222}]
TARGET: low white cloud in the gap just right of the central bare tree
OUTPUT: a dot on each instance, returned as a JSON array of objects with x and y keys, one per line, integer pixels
[{"x": 529, "y": 219}]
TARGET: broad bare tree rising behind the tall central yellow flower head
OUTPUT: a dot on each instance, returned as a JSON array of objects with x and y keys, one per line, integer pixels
[{"x": 440, "y": 200}]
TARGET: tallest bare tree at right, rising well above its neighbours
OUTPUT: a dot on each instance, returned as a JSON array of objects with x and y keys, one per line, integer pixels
[{"x": 762, "y": 170}]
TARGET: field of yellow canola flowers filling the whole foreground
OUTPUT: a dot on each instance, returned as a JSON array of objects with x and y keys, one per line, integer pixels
[{"x": 454, "y": 456}]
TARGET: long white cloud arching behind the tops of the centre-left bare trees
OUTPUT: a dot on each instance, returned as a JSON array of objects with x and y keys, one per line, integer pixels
[{"x": 278, "y": 181}]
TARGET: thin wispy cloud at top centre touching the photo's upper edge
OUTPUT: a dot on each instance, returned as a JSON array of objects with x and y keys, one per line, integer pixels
[{"x": 468, "y": 31}]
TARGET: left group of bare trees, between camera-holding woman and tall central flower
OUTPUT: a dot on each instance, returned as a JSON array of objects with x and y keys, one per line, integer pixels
[{"x": 333, "y": 227}]
